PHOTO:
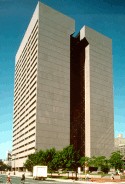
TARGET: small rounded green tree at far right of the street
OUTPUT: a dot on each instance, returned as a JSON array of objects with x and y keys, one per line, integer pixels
[{"x": 116, "y": 160}]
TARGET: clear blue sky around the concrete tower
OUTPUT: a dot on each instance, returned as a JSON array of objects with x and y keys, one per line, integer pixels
[{"x": 105, "y": 16}]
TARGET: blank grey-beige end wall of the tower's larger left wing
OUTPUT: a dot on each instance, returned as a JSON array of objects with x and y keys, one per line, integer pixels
[{"x": 53, "y": 84}]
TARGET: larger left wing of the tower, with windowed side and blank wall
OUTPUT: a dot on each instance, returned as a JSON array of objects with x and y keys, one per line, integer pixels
[{"x": 42, "y": 85}]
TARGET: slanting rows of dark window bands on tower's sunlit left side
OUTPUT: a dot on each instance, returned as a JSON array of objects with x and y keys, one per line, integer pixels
[{"x": 25, "y": 92}]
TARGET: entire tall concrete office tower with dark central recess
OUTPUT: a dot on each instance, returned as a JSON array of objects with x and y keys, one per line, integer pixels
[{"x": 63, "y": 88}]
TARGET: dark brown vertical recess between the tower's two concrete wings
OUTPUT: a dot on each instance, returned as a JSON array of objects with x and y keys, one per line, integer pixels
[{"x": 77, "y": 93}]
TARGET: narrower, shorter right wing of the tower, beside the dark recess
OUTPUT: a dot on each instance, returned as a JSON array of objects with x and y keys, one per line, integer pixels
[{"x": 99, "y": 121}]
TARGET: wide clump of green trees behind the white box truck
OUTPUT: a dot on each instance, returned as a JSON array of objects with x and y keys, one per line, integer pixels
[{"x": 66, "y": 159}]
